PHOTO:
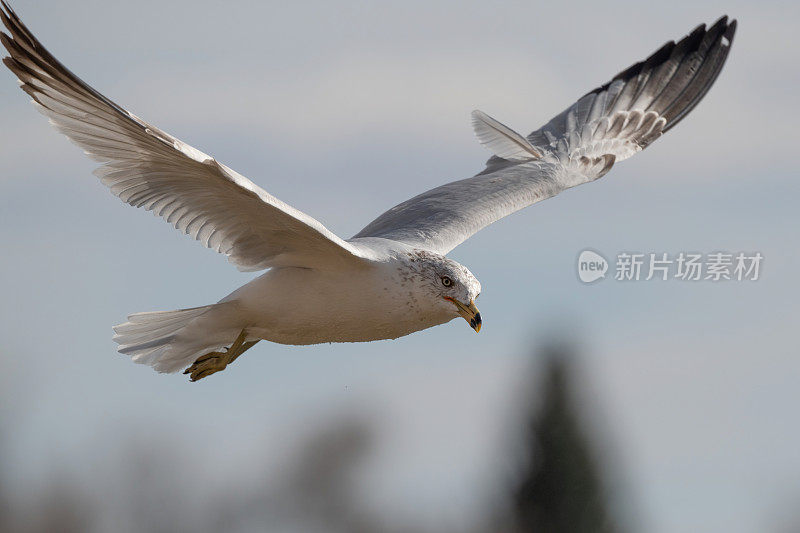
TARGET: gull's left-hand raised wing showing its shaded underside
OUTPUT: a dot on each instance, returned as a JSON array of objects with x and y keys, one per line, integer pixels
[{"x": 149, "y": 168}]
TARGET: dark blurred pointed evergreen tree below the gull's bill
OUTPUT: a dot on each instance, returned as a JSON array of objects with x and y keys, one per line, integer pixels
[{"x": 559, "y": 489}]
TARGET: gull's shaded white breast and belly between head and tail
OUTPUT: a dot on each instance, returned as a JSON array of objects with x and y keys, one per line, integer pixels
[{"x": 308, "y": 306}]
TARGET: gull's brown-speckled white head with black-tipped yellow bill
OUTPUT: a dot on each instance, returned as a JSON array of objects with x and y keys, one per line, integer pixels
[{"x": 447, "y": 286}]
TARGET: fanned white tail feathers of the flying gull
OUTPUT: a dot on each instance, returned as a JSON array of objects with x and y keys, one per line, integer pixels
[{"x": 155, "y": 338}]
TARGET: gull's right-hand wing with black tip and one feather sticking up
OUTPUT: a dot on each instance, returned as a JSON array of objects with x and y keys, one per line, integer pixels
[{"x": 581, "y": 144}]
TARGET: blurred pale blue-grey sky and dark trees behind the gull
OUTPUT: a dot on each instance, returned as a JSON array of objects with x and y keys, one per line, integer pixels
[{"x": 621, "y": 407}]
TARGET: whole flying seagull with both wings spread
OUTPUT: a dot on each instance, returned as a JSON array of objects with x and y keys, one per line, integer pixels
[{"x": 393, "y": 277}]
